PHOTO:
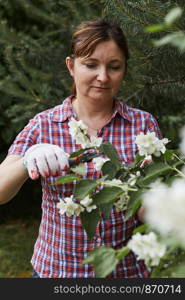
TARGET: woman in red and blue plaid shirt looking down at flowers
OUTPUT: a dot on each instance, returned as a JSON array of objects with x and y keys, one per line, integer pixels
[{"x": 97, "y": 63}]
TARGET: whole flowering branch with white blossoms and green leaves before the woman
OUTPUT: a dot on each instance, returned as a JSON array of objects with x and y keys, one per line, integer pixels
[{"x": 144, "y": 182}]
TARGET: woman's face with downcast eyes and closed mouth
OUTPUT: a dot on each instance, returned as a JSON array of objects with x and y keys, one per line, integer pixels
[{"x": 99, "y": 75}]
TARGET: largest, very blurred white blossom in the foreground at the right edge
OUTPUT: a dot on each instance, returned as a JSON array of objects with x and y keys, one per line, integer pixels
[{"x": 165, "y": 208}]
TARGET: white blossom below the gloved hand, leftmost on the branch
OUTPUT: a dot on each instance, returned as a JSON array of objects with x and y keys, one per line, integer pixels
[{"x": 69, "y": 207}]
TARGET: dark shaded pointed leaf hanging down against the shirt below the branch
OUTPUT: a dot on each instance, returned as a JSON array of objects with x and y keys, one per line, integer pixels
[{"x": 89, "y": 221}]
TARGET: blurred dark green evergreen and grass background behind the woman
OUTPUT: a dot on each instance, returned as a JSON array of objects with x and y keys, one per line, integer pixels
[{"x": 34, "y": 42}]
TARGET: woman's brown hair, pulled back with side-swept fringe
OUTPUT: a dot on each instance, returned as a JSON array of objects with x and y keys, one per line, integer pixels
[{"x": 90, "y": 33}]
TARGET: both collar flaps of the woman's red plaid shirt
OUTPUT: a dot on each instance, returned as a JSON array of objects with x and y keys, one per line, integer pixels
[{"x": 65, "y": 111}]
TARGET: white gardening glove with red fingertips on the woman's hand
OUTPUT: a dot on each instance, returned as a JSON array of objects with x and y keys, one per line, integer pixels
[{"x": 45, "y": 160}]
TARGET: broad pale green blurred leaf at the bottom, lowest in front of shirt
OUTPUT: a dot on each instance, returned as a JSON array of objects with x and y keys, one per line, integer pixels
[{"x": 104, "y": 260}]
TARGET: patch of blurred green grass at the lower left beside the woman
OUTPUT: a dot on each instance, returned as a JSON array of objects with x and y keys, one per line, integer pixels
[{"x": 17, "y": 239}]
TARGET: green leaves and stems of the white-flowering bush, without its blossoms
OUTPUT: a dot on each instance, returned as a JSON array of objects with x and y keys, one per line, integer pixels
[{"x": 165, "y": 167}]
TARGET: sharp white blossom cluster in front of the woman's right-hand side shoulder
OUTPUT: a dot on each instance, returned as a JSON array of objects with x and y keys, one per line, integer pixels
[{"x": 149, "y": 144}]
